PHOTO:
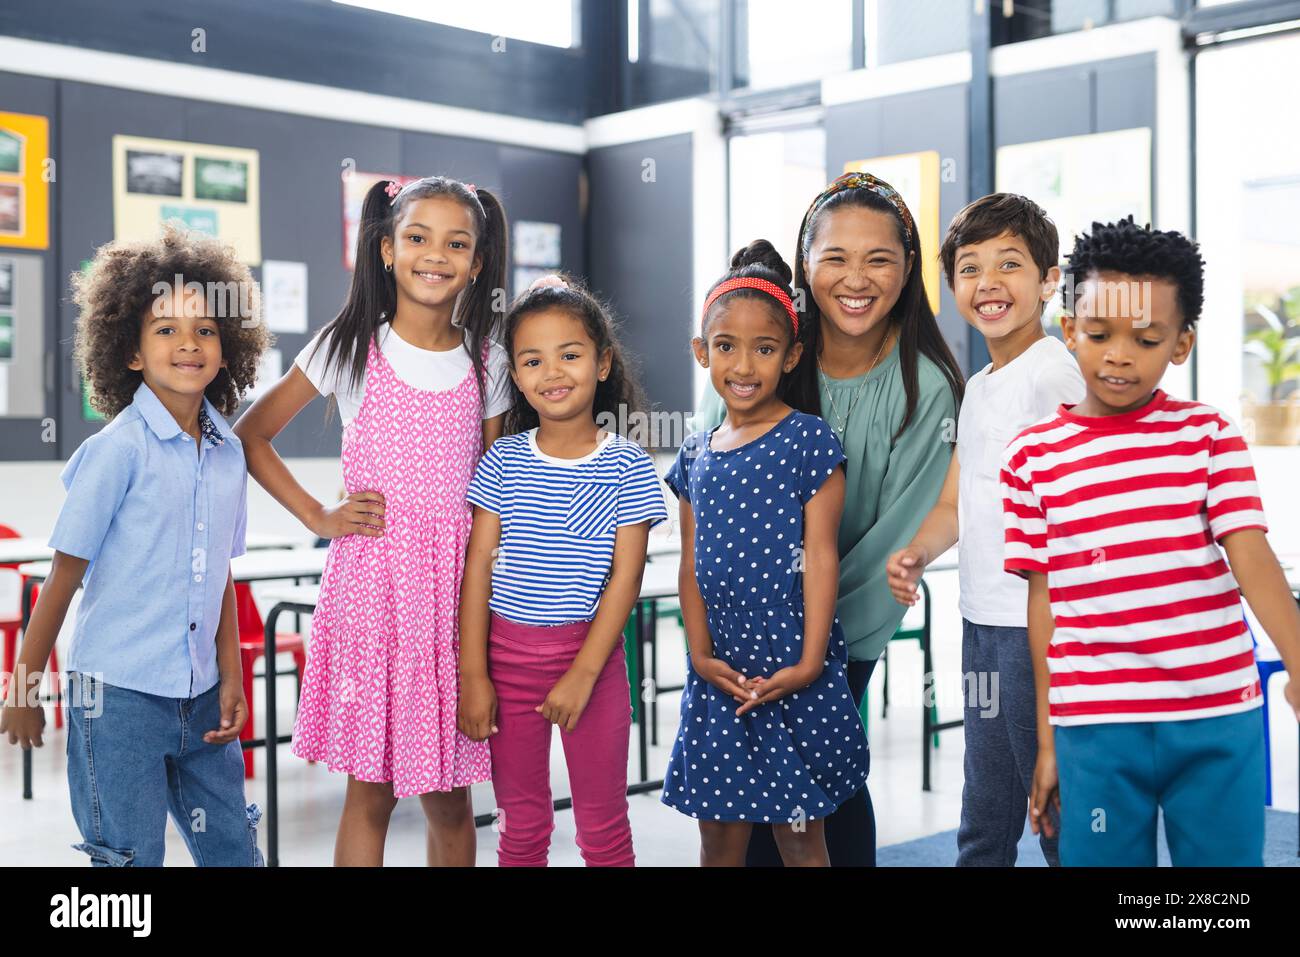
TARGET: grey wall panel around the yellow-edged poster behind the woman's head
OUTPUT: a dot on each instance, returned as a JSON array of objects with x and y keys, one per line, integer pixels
[{"x": 911, "y": 123}]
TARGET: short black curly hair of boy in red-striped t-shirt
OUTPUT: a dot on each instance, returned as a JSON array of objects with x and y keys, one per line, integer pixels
[{"x": 1126, "y": 248}]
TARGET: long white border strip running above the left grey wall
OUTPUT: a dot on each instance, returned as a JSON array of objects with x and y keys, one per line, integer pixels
[{"x": 163, "y": 77}]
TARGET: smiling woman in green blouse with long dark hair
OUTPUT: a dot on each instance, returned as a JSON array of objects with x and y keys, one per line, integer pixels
[{"x": 876, "y": 366}]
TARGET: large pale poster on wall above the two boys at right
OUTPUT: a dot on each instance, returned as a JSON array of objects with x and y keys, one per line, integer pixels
[{"x": 1099, "y": 177}]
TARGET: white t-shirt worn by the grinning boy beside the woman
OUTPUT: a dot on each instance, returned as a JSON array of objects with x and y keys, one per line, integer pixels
[{"x": 998, "y": 408}]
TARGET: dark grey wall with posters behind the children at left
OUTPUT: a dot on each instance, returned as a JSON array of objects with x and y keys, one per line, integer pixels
[{"x": 301, "y": 162}]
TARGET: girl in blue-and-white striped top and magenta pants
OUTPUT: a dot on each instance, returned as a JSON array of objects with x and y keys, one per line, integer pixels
[{"x": 562, "y": 516}]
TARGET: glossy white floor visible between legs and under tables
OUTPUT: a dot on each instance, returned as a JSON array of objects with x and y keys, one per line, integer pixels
[{"x": 42, "y": 832}]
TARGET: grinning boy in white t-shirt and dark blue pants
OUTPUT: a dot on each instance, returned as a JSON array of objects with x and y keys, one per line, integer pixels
[{"x": 1000, "y": 258}]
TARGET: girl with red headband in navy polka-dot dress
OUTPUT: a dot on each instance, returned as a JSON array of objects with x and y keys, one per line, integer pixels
[{"x": 769, "y": 733}]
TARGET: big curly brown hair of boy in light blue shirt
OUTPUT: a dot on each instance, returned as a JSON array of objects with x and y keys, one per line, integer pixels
[{"x": 119, "y": 291}]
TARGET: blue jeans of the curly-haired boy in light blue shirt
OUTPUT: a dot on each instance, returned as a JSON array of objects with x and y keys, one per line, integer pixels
[{"x": 135, "y": 757}]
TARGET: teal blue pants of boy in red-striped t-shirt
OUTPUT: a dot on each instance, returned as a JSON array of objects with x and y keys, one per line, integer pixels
[{"x": 1207, "y": 776}]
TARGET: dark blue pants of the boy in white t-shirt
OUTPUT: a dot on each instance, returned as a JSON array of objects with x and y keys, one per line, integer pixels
[{"x": 1002, "y": 746}]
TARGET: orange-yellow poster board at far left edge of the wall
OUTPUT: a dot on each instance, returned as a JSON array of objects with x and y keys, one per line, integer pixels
[{"x": 24, "y": 188}]
